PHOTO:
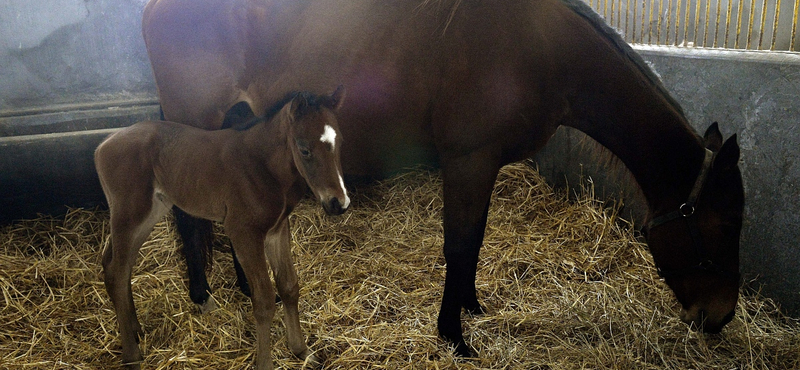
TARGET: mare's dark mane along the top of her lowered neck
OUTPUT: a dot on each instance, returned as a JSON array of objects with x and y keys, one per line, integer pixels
[{"x": 585, "y": 11}]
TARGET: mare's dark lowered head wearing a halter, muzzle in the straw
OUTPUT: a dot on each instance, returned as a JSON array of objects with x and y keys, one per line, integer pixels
[{"x": 696, "y": 247}]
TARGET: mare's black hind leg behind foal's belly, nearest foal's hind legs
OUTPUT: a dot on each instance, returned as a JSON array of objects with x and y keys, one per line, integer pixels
[{"x": 197, "y": 235}]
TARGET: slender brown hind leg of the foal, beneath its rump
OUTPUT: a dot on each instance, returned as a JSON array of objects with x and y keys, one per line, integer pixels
[{"x": 131, "y": 224}]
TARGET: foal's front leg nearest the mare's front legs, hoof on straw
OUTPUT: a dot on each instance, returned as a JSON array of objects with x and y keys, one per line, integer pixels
[{"x": 279, "y": 253}]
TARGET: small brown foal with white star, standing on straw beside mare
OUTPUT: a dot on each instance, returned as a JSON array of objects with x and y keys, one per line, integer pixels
[{"x": 249, "y": 180}]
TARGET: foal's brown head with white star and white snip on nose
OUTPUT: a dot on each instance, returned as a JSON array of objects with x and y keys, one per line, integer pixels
[{"x": 315, "y": 141}]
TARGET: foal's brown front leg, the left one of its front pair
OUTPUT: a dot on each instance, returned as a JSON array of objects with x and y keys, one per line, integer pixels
[{"x": 248, "y": 244}]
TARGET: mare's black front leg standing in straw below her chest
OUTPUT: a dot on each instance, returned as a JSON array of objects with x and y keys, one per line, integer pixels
[{"x": 468, "y": 182}]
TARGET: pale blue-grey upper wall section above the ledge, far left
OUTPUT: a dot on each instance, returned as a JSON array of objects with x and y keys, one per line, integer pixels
[{"x": 71, "y": 51}]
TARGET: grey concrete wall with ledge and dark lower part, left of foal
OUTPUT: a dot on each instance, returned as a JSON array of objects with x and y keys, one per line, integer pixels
[{"x": 69, "y": 70}]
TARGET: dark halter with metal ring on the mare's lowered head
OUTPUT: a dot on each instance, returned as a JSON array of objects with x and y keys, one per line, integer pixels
[{"x": 686, "y": 212}]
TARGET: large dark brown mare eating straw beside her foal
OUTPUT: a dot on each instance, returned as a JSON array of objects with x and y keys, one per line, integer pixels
[{"x": 469, "y": 86}]
